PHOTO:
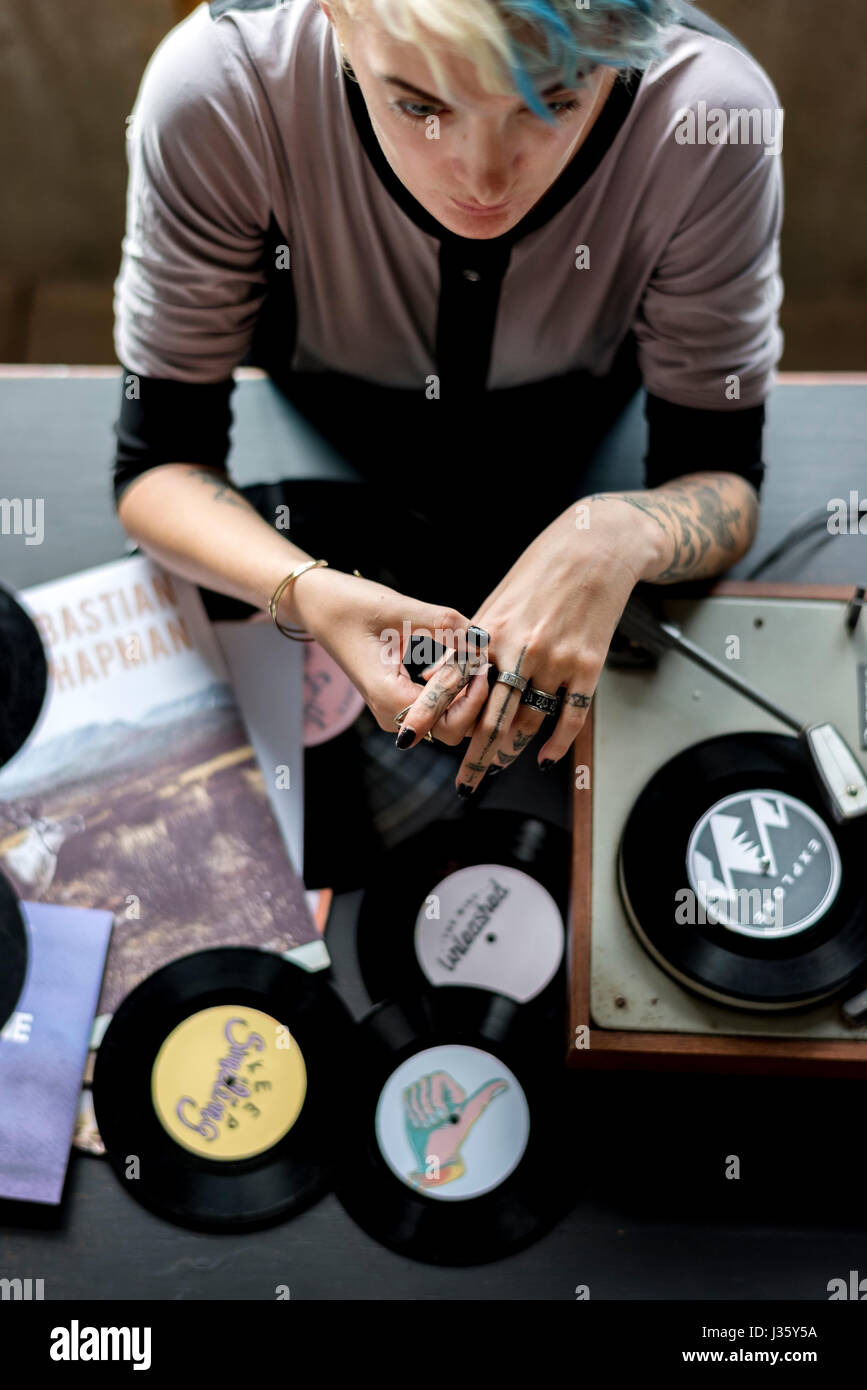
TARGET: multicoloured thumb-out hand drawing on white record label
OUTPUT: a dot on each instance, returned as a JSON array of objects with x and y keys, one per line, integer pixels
[{"x": 438, "y": 1118}]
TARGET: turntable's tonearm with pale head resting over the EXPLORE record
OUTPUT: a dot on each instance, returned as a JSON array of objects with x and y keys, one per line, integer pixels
[{"x": 840, "y": 775}]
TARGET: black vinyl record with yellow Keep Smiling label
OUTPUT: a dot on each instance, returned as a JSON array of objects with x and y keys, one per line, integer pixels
[{"x": 219, "y": 1074}]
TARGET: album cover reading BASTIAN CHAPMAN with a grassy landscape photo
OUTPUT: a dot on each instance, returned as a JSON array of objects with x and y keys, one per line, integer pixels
[{"x": 140, "y": 792}]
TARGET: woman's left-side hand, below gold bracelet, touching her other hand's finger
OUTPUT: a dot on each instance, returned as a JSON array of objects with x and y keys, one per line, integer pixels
[{"x": 368, "y": 628}]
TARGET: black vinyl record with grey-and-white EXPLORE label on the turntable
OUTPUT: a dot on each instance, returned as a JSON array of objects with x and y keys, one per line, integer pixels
[{"x": 737, "y": 881}]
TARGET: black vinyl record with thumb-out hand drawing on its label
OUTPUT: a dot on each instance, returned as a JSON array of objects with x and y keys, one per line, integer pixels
[{"x": 462, "y": 1124}]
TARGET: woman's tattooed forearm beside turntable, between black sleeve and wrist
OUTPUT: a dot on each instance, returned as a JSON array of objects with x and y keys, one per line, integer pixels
[{"x": 694, "y": 528}]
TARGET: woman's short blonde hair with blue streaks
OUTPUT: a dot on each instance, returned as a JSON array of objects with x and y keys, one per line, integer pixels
[{"x": 508, "y": 41}]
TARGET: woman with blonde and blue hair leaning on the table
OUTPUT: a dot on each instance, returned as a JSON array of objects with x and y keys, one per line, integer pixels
[{"x": 458, "y": 234}]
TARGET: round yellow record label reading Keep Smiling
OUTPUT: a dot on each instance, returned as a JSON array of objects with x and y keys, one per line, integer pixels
[{"x": 229, "y": 1082}]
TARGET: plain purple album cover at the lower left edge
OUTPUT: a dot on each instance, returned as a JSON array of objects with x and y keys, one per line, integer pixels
[{"x": 44, "y": 1049}]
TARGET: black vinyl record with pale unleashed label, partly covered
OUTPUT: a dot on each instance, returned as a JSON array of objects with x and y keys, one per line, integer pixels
[{"x": 481, "y": 901}]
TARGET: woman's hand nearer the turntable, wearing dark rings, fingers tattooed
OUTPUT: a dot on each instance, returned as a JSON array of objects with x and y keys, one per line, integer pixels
[{"x": 551, "y": 619}]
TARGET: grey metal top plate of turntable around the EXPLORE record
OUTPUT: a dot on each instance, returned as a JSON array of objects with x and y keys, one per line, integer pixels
[{"x": 797, "y": 651}]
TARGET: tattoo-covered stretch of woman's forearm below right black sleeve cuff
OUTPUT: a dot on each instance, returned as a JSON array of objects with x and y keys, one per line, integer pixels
[{"x": 708, "y": 521}]
